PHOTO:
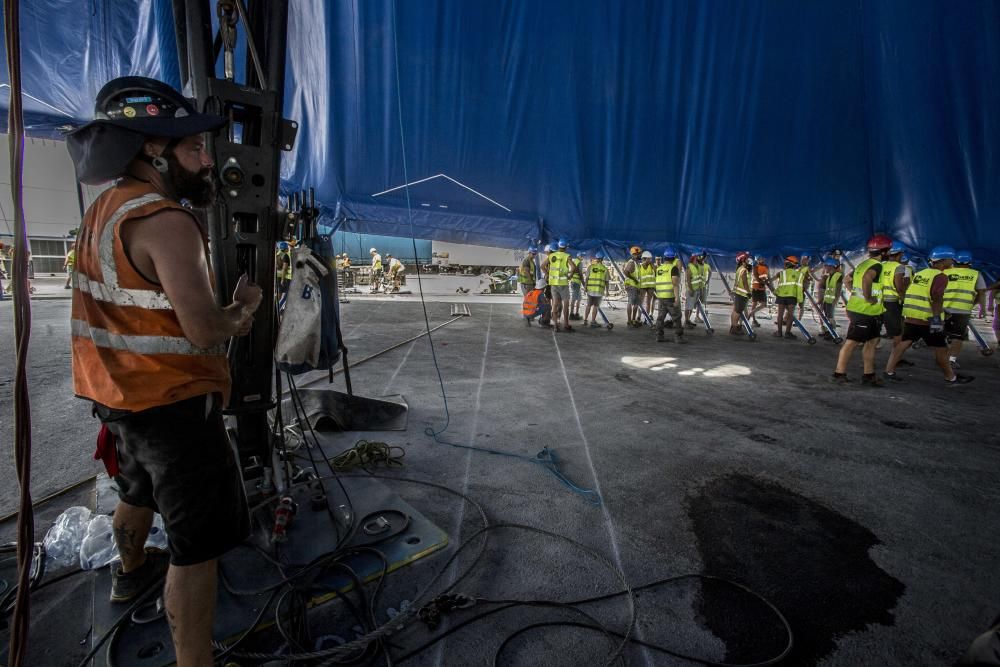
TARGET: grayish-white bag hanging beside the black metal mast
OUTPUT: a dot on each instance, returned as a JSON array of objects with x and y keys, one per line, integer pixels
[{"x": 300, "y": 336}]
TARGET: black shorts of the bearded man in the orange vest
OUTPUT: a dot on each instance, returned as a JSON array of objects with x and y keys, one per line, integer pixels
[{"x": 176, "y": 460}]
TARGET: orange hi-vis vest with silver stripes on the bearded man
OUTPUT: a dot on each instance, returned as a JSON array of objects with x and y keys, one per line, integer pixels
[{"x": 129, "y": 351}]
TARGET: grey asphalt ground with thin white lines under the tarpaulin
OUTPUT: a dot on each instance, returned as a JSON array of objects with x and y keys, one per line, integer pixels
[{"x": 866, "y": 515}]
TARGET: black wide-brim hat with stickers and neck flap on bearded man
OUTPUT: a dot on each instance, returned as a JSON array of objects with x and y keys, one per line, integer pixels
[{"x": 127, "y": 111}]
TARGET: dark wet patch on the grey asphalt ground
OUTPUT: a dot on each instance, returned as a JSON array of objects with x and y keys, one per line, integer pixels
[{"x": 810, "y": 561}]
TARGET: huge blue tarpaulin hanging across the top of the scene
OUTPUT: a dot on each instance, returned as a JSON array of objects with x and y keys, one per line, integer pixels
[{"x": 774, "y": 126}]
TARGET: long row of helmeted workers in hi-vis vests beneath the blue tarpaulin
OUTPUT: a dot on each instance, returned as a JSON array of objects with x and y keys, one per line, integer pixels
[{"x": 933, "y": 305}]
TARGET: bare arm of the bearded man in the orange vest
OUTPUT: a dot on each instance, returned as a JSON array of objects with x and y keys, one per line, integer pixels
[{"x": 168, "y": 248}]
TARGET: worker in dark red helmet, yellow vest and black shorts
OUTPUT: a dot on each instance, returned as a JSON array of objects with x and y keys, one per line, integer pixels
[{"x": 864, "y": 311}]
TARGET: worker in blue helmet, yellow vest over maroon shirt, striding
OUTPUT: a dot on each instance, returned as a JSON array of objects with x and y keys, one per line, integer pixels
[{"x": 923, "y": 316}]
